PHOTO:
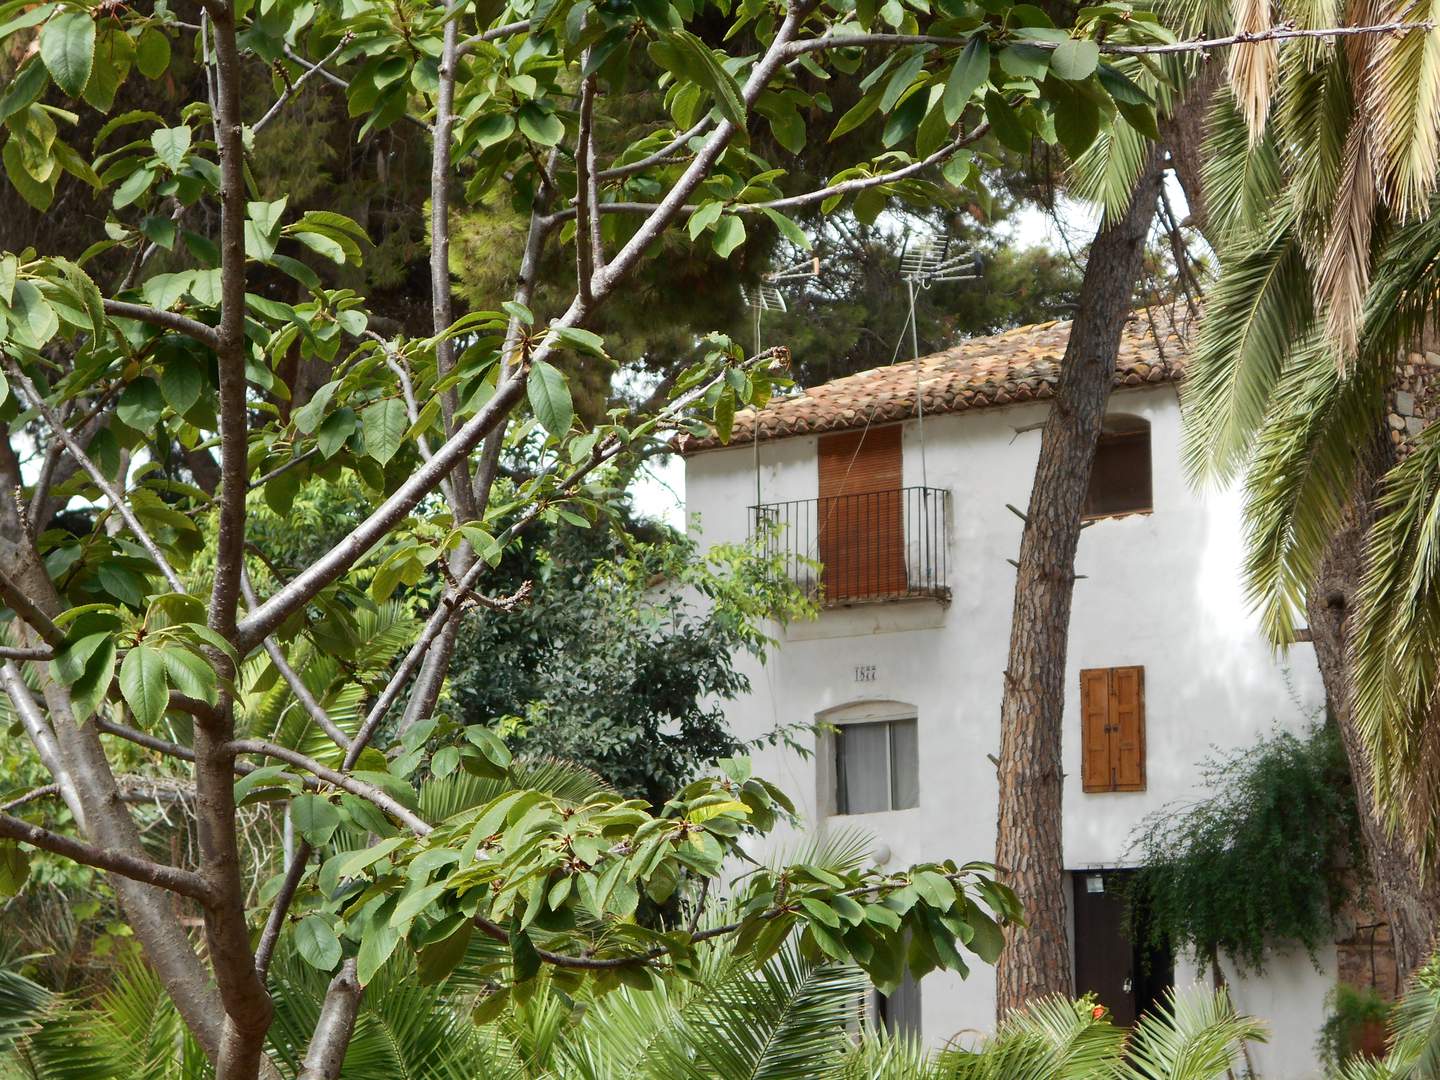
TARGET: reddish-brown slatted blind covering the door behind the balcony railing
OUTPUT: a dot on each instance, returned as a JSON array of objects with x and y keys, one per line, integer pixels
[{"x": 860, "y": 515}]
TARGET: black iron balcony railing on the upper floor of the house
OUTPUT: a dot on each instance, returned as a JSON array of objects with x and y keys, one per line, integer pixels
[{"x": 868, "y": 546}]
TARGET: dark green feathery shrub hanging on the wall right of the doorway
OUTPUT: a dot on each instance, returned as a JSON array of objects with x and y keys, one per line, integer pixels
[{"x": 1287, "y": 806}]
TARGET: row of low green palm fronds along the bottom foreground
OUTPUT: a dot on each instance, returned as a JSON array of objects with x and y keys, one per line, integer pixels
[{"x": 793, "y": 1019}]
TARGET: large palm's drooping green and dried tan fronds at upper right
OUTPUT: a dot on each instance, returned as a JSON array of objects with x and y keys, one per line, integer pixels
[{"x": 1321, "y": 169}]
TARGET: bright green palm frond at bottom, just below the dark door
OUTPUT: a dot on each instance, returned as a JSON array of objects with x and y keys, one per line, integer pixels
[{"x": 1194, "y": 1036}]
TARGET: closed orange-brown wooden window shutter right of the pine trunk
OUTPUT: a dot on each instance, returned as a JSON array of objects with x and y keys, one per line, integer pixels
[{"x": 1112, "y": 729}]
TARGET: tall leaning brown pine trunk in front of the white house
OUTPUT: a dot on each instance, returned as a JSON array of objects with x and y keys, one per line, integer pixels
[{"x": 1036, "y": 960}]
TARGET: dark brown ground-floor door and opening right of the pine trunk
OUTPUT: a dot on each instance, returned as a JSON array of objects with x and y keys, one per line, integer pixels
[{"x": 1128, "y": 978}]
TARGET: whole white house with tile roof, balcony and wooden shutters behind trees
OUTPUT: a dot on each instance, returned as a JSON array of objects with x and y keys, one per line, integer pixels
[{"x": 909, "y": 515}]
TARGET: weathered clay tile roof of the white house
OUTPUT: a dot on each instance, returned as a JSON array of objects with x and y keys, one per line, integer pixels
[{"x": 1014, "y": 366}]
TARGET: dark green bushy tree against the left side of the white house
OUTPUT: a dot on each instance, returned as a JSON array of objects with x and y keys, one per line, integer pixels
[{"x": 626, "y": 654}]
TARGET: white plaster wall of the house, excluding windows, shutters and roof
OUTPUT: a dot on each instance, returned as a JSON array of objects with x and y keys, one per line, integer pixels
[{"x": 1161, "y": 591}]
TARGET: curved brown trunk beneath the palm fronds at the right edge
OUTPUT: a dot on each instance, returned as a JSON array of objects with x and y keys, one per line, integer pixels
[{"x": 1410, "y": 899}]
